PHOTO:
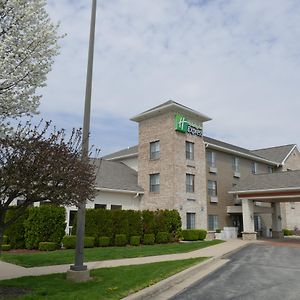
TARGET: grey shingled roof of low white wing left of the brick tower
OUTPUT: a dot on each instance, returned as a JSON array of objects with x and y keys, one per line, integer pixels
[{"x": 116, "y": 176}]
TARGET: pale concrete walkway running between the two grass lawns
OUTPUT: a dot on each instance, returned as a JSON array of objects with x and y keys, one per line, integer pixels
[{"x": 9, "y": 271}]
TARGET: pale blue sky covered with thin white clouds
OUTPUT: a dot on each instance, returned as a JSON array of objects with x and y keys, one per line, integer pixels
[{"x": 236, "y": 61}]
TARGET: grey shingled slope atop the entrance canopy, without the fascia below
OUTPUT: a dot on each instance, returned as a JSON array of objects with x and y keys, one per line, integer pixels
[{"x": 269, "y": 181}]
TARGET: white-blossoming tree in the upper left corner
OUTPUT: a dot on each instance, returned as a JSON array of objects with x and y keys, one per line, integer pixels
[{"x": 28, "y": 44}]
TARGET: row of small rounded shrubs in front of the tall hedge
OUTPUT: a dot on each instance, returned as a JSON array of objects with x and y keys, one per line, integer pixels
[{"x": 69, "y": 241}]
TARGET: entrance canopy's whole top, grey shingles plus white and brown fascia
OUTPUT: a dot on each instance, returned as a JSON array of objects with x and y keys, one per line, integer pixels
[{"x": 270, "y": 187}]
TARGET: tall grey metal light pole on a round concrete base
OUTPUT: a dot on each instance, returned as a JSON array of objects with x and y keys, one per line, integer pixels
[{"x": 79, "y": 271}]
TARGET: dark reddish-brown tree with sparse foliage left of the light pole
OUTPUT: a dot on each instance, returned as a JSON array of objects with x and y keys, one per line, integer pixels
[{"x": 37, "y": 164}]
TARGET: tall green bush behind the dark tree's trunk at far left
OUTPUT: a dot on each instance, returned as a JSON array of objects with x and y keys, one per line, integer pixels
[{"x": 16, "y": 231}]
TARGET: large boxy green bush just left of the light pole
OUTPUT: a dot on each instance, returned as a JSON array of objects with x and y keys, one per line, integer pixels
[{"x": 44, "y": 223}]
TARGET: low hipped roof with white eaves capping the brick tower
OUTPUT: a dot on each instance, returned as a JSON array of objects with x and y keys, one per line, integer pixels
[{"x": 170, "y": 106}]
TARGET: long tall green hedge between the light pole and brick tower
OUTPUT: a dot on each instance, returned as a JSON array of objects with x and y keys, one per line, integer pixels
[{"x": 109, "y": 223}]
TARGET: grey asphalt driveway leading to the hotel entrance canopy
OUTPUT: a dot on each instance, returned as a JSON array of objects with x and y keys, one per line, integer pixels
[{"x": 268, "y": 270}]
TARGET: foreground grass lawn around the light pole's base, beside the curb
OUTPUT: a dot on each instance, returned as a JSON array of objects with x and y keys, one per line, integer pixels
[{"x": 107, "y": 283}]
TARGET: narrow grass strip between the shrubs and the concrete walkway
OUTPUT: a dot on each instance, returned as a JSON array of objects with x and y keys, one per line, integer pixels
[{"x": 98, "y": 254}]
